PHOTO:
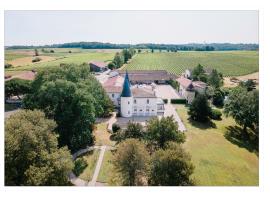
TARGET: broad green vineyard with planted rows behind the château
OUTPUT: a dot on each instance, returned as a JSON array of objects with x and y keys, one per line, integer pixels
[{"x": 230, "y": 63}]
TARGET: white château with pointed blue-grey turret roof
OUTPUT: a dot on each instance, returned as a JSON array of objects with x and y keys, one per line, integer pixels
[{"x": 136, "y": 100}]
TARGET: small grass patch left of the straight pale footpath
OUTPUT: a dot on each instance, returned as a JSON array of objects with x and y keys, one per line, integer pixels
[{"x": 91, "y": 159}]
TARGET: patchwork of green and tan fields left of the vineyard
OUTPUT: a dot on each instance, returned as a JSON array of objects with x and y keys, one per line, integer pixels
[{"x": 22, "y": 59}]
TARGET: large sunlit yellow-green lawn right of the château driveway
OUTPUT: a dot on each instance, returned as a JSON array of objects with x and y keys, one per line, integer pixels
[{"x": 218, "y": 161}]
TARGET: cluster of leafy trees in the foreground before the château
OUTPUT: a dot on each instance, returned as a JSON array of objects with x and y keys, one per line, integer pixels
[{"x": 152, "y": 156}]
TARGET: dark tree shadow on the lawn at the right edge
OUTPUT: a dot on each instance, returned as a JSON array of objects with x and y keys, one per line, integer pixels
[{"x": 236, "y": 136}]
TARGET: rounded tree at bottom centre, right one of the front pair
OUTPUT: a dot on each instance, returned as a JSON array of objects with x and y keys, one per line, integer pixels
[{"x": 171, "y": 167}]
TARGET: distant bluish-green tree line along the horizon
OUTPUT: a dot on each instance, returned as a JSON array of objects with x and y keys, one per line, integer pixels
[{"x": 179, "y": 47}]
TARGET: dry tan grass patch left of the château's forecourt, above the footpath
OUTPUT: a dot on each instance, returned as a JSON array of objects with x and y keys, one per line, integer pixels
[{"x": 102, "y": 135}]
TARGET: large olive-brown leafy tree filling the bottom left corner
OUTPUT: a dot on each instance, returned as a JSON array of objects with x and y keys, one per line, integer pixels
[{"x": 32, "y": 156}]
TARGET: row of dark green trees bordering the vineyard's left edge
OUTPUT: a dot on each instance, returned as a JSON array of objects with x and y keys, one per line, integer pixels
[{"x": 121, "y": 58}]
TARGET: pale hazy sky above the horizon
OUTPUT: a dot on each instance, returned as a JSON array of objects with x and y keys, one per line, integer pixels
[{"x": 178, "y": 27}]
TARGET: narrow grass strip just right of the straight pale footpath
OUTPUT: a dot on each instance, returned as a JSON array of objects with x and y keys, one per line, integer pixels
[{"x": 106, "y": 168}]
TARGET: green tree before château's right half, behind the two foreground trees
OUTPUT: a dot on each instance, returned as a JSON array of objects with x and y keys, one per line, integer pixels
[{"x": 159, "y": 132}]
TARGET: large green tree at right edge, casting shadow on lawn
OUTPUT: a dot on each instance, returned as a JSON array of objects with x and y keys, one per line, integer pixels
[{"x": 243, "y": 106}]
